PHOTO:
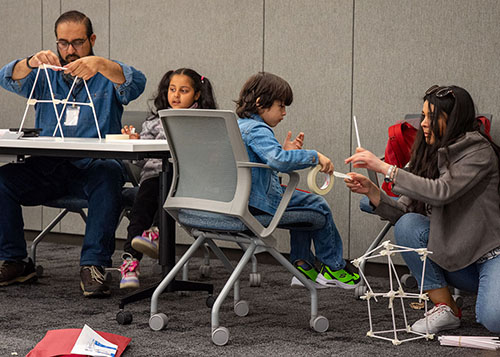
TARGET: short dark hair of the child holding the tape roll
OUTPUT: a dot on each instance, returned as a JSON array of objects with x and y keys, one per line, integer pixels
[{"x": 266, "y": 87}]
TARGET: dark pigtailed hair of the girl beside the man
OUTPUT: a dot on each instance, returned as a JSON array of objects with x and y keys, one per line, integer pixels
[{"x": 200, "y": 84}]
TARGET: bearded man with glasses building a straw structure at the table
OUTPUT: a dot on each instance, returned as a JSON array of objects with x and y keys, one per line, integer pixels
[{"x": 111, "y": 84}]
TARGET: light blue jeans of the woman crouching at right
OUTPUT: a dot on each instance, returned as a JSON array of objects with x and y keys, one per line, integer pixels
[{"x": 412, "y": 230}]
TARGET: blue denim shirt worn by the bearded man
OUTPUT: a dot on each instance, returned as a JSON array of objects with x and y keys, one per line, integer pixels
[{"x": 107, "y": 96}]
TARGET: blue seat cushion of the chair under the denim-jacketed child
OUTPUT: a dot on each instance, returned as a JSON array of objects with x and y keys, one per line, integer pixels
[{"x": 297, "y": 220}]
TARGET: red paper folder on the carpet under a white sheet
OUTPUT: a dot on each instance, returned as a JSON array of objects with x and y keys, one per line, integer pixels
[{"x": 60, "y": 343}]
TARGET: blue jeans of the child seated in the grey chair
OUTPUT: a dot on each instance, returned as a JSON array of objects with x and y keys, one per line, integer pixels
[{"x": 327, "y": 241}]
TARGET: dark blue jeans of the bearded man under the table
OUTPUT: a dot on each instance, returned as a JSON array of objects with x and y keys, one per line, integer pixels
[{"x": 41, "y": 179}]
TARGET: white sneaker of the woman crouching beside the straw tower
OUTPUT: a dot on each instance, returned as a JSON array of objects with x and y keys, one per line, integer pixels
[{"x": 439, "y": 318}]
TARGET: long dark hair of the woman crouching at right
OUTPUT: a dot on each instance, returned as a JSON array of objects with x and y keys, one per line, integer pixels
[{"x": 457, "y": 107}]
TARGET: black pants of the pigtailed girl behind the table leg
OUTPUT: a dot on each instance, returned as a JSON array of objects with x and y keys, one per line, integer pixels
[{"x": 144, "y": 212}]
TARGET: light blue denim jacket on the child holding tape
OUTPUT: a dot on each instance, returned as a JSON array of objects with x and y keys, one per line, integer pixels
[{"x": 263, "y": 147}]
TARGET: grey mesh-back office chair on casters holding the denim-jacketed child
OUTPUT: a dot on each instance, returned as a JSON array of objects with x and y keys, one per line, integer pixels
[{"x": 209, "y": 199}]
